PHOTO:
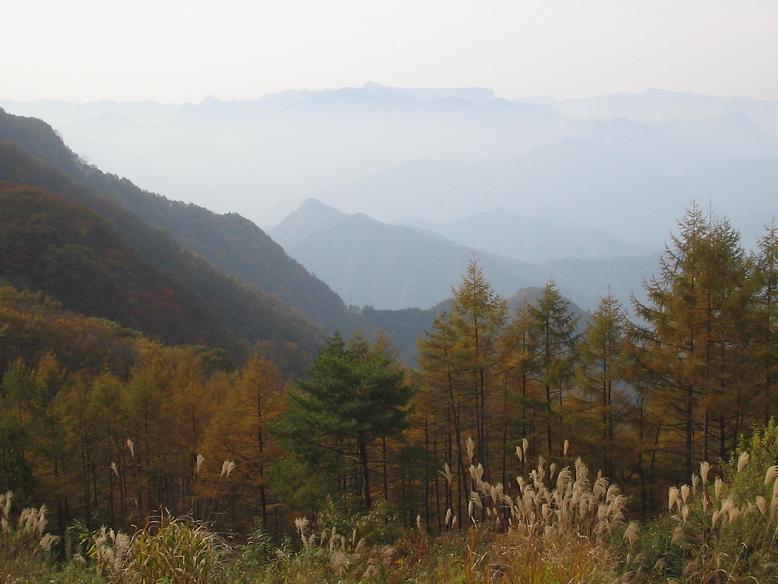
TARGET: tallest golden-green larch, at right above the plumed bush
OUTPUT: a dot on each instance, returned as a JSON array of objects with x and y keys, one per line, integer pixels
[{"x": 692, "y": 353}]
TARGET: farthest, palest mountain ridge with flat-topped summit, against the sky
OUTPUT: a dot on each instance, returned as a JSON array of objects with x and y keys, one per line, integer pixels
[{"x": 291, "y": 145}]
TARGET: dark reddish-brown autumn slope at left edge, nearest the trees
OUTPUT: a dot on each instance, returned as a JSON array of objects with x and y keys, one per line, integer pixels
[{"x": 74, "y": 255}]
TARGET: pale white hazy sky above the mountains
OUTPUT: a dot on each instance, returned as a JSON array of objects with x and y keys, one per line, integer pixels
[{"x": 185, "y": 50}]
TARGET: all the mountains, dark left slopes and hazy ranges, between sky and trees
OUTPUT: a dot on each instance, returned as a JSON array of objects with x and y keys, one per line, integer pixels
[{"x": 414, "y": 182}]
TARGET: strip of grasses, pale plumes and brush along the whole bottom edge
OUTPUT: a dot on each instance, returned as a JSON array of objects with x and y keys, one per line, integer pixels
[{"x": 560, "y": 526}]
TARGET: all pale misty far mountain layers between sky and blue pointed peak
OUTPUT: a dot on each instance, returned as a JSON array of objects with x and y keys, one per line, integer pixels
[{"x": 626, "y": 164}]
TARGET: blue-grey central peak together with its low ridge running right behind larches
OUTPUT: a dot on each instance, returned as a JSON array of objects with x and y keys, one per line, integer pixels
[{"x": 391, "y": 267}]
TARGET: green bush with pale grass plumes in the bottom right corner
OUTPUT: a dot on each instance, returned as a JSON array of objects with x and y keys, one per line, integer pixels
[{"x": 722, "y": 528}]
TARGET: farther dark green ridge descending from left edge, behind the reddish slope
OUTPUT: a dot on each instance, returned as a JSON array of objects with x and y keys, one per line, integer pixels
[{"x": 230, "y": 242}]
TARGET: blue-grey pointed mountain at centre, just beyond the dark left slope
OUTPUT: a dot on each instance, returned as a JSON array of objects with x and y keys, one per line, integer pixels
[{"x": 376, "y": 264}]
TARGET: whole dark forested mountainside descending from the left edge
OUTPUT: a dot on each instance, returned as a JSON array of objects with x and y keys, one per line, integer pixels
[{"x": 176, "y": 271}]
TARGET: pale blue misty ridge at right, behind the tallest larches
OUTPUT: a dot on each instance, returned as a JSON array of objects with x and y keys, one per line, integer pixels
[{"x": 630, "y": 179}]
